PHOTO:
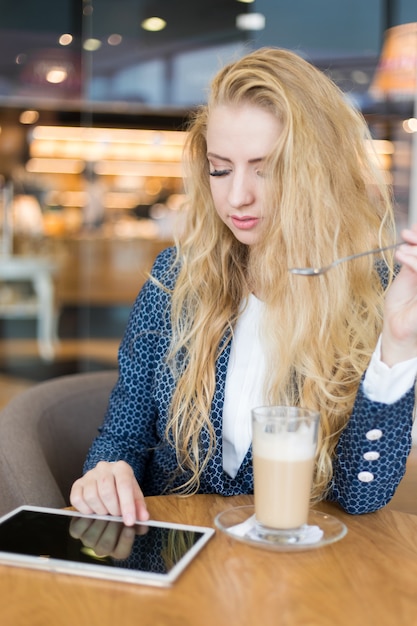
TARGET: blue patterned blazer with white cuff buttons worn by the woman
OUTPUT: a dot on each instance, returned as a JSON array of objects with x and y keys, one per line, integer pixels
[{"x": 371, "y": 453}]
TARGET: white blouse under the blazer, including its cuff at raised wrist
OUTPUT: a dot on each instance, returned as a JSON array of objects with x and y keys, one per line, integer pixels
[{"x": 246, "y": 373}]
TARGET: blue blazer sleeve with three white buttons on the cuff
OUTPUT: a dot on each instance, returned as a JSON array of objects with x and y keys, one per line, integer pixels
[{"x": 371, "y": 453}]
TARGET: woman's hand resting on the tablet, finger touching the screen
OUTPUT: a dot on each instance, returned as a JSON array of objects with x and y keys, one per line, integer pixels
[{"x": 110, "y": 489}]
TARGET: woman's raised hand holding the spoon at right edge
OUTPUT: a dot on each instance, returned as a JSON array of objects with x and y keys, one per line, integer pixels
[{"x": 399, "y": 336}]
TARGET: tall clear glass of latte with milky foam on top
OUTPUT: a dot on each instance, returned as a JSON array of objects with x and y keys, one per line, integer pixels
[{"x": 284, "y": 444}]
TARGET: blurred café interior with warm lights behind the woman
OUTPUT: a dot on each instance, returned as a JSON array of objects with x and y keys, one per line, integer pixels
[{"x": 94, "y": 95}]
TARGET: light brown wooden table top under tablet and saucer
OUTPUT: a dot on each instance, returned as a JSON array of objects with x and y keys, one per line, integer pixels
[{"x": 368, "y": 578}]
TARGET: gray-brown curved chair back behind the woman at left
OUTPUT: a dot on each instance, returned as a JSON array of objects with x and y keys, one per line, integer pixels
[{"x": 45, "y": 434}]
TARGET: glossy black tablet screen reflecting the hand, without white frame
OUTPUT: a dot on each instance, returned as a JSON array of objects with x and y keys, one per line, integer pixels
[{"x": 108, "y": 543}]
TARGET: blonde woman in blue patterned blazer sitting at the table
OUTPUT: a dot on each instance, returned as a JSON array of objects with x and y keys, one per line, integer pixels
[{"x": 279, "y": 176}]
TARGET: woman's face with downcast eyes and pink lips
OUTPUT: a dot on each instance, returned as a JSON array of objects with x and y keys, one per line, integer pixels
[{"x": 239, "y": 139}]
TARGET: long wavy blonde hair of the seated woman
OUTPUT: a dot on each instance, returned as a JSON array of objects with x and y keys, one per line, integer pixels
[{"x": 327, "y": 199}]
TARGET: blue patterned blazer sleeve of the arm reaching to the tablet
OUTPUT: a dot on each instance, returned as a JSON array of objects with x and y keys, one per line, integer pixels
[{"x": 129, "y": 430}]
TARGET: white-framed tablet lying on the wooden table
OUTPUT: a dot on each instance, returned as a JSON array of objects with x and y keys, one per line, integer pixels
[{"x": 61, "y": 540}]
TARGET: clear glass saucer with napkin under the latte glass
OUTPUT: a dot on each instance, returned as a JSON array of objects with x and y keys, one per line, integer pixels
[{"x": 240, "y": 524}]
